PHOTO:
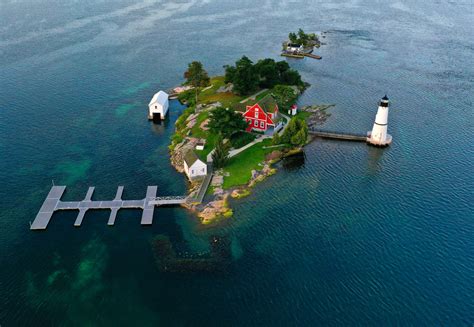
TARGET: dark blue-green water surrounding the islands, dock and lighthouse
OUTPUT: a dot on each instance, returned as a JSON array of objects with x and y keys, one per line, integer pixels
[{"x": 346, "y": 235}]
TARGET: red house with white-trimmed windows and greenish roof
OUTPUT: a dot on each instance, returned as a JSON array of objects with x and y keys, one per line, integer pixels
[{"x": 262, "y": 116}]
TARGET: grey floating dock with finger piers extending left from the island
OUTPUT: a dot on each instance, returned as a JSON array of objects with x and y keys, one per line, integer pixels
[{"x": 53, "y": 203}]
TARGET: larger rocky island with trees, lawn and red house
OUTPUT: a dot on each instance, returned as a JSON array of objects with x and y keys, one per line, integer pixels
[{"x": 239, "y": 125}]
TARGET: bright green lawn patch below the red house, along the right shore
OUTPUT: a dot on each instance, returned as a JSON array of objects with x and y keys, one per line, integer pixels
[{"x": 240, "y": 167}]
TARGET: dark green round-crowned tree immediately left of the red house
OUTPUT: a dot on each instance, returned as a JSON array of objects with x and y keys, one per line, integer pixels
[{"x": 226, "y": 122}]
